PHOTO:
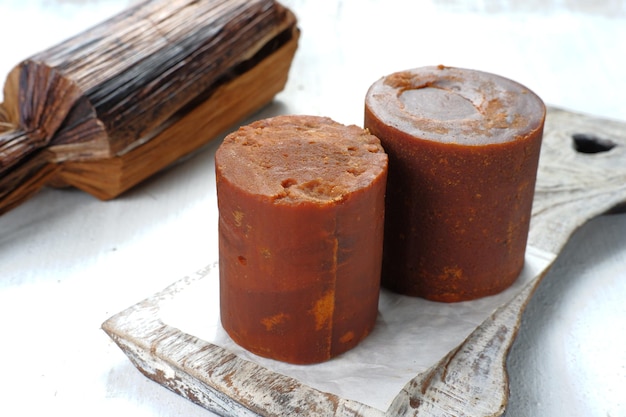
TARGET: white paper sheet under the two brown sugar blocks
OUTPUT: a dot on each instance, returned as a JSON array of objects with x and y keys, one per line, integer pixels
[{"x": 410, "y": 336}]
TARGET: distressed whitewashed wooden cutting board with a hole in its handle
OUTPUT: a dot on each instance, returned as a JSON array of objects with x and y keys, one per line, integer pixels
[{"x": 470, "y": 380}]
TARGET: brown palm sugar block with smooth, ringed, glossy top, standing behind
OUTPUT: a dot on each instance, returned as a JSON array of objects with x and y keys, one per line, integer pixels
[{"x": 463, "y": 150}]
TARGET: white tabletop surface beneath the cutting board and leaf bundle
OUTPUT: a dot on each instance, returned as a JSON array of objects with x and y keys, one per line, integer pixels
[{"x": 69, "y": 261}]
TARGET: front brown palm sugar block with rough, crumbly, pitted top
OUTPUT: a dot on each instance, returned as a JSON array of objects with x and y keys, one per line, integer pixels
[{"x": 301, "y": 216}]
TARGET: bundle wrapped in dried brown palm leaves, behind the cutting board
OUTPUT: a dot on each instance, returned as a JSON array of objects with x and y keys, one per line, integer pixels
[{"x": 111, "y": 106}]
